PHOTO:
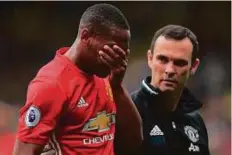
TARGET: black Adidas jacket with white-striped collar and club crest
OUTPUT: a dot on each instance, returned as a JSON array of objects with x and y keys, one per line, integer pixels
[{"x": 181, "y": 132}]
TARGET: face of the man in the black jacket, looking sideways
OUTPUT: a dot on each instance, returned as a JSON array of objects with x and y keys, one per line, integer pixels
[{"x": 170, "y": 63}]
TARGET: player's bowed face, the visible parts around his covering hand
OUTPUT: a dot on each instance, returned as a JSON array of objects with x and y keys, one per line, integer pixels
[{"x": 115, "y": 37}]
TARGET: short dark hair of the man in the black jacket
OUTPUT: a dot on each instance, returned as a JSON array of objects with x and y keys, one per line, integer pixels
[{"x": 177, "y": 32}]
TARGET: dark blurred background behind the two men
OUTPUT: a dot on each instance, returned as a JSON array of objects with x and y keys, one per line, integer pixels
[{"x": 31, "y": 32}]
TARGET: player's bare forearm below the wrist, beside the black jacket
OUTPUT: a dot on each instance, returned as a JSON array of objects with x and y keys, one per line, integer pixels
[{"x": 129, "y": 123}]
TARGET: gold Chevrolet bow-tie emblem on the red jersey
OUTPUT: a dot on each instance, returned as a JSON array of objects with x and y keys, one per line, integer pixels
[{"x": 101, "y": 122}]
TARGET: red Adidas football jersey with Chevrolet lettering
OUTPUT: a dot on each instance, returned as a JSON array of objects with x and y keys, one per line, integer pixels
[{"x": 70, "y": 110}]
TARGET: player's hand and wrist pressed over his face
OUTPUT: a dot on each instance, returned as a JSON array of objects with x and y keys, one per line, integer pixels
[{"x": 117, "y": 59}]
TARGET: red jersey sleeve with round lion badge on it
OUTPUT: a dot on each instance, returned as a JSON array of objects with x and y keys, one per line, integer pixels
[{"x": 38, "y": 118}]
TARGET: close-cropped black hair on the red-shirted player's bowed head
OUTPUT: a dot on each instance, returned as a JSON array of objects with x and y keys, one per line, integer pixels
[{"x": 104, "y": 16}]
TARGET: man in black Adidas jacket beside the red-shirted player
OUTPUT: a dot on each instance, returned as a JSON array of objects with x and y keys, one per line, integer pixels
[{"x": 172, "y": 124}]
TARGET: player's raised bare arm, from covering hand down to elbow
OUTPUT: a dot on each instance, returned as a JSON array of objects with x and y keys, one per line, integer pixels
[{"x": 128, "y": 120}]
